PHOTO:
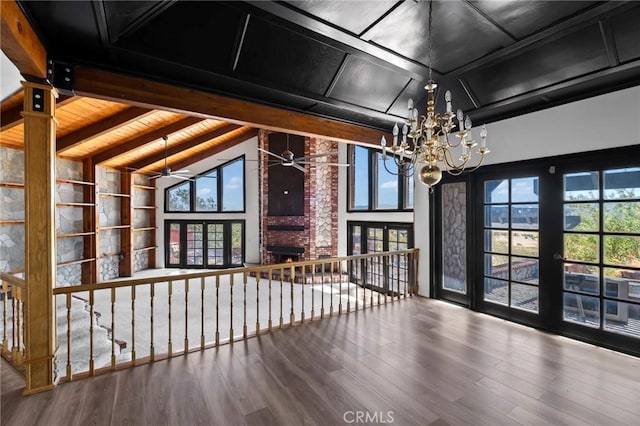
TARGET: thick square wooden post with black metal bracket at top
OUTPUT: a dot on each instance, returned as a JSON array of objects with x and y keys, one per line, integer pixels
[{"x": 40, "y": 257}]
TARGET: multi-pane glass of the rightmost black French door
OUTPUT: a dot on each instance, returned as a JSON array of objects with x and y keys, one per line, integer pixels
[{"x": 602, "y": 249}]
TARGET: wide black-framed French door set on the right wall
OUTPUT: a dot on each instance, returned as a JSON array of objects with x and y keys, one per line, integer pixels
[{"x": 551, "y": 246}]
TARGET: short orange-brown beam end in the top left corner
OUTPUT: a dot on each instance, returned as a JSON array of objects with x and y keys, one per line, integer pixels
[{"x": 20, "y": 42}]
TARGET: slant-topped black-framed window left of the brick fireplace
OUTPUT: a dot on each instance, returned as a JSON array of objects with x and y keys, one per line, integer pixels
[{"x": 217, "y": 190}]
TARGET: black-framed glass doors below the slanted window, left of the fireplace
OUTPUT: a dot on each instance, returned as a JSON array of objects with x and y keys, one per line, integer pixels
[{"x": 204, "y": 244}]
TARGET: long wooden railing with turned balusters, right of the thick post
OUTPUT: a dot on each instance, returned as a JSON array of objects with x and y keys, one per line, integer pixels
[{"x": 102, "y": 327}]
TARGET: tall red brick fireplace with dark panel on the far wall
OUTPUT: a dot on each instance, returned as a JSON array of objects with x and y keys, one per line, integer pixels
[{"x": 311, "y": 232}]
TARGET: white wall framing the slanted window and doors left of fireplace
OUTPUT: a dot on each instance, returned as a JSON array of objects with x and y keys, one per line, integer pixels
[{"x": 251, "y": 215}]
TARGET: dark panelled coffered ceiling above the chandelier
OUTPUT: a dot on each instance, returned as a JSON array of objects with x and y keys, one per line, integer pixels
[{"x": 357, "y": 61}]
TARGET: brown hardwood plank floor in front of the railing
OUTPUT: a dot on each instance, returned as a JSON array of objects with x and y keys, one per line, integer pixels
[{"x": 417, "y": 362}]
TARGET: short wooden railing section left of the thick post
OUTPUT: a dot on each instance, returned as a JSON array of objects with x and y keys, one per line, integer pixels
[{"x": 13, "y": 306}]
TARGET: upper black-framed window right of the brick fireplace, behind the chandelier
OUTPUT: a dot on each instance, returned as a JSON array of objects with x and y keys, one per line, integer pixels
[{"x": 374, "y": 185}]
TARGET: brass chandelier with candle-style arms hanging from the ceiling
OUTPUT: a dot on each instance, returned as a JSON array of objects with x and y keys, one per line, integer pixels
[{"x": 434, "y": 138}]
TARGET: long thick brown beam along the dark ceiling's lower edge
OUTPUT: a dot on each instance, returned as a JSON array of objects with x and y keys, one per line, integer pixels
[{"x": 118, "y": 87}]
